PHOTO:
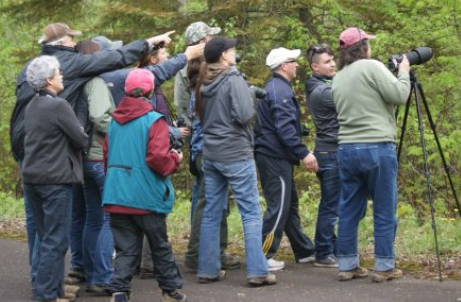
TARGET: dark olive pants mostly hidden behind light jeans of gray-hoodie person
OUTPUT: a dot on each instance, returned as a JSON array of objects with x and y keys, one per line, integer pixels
[{"x": 191, "y": 257}]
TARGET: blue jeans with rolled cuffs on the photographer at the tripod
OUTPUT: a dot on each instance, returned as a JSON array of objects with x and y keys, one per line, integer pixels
[{"x": 367, "y": 170}]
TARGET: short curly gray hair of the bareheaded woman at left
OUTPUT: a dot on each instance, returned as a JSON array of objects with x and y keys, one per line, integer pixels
[{"x": 39, "y": 70}]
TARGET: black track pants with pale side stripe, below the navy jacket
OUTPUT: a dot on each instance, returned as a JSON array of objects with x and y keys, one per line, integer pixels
[{"x": 279, "y": 190}]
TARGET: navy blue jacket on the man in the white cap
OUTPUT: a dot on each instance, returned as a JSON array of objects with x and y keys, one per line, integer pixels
[{"x": 278, "y": 128}]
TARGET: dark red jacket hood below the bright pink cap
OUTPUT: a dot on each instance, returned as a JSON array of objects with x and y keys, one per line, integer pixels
[{"x": 131, "y": 108}]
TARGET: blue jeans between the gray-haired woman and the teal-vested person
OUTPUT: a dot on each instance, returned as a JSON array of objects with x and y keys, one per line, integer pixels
[{"x": 98, "y": 242}]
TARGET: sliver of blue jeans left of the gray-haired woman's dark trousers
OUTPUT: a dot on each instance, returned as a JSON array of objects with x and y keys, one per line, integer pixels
[{"x": 33, "y": 241}]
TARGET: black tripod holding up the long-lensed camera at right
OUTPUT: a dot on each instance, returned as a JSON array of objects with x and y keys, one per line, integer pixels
[{"x": 416, "y": 89}]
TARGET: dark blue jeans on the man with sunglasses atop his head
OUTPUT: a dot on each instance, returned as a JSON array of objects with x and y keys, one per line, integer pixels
[{"x": 328, "y": 175}]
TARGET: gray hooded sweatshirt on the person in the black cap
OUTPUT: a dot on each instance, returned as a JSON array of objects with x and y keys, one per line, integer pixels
[{"x": 227, "y": 118}]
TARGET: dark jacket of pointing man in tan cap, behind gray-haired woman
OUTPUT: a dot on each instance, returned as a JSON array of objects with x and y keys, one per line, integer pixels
[{"x": 77, "y": 70}]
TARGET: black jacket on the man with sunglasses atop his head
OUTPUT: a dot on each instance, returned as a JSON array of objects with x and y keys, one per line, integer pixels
[{"x": 321, "y": 107}]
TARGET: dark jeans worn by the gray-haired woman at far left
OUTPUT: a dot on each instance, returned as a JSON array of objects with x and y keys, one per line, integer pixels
[{"x": 52, "y": 209}]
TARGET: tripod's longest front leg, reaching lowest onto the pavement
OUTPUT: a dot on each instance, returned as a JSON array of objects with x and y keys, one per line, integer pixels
[{"x": 428, "y": 175}]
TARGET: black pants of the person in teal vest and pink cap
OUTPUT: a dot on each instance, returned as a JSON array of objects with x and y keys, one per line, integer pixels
[{"x": 128, "y": 231}]
